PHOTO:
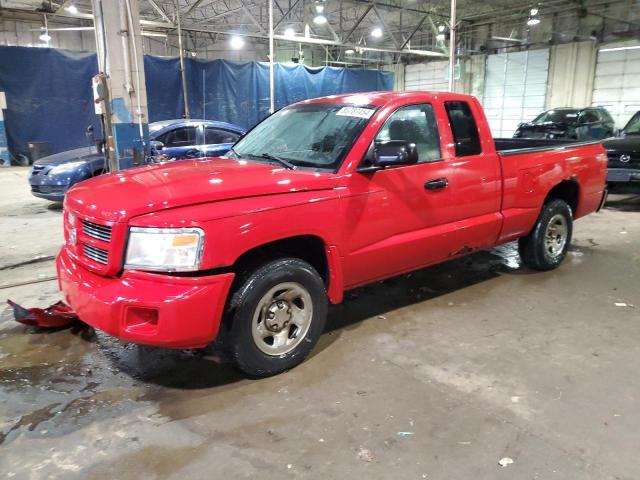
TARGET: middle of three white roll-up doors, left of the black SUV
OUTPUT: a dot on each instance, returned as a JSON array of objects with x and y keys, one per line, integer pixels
[{"x": 515, "y": 89}]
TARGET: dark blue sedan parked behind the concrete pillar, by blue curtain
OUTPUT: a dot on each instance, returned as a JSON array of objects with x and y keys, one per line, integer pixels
[{"x": 52, "y": 176}]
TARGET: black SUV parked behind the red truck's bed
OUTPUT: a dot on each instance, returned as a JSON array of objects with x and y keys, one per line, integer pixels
[{"x": 592, "y": 123}]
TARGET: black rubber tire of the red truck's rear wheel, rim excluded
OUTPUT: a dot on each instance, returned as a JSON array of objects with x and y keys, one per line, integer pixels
[{"x": 534, "y": 249}]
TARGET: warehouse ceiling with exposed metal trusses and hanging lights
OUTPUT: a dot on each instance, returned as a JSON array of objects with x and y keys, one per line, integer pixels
[{"x": 385, "y": 28}]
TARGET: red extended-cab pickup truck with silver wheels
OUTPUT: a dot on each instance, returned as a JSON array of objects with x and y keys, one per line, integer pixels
[{"x": 321, "y": 197}]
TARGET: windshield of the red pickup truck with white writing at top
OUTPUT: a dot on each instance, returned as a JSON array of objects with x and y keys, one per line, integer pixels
[{"x": 316, "y": 135}]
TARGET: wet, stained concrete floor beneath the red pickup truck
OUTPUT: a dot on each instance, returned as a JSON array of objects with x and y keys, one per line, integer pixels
[{"x": 437, "y": 375}]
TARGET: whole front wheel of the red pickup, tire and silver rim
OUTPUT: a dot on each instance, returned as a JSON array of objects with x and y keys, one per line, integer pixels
[{"x": 275, "y": 317}]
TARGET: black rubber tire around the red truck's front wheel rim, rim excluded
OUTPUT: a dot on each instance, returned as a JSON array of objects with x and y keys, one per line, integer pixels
[{"x": 240, "y": 317}]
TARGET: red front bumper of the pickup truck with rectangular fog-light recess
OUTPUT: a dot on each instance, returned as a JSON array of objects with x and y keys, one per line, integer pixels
[{"x": 147, "y": 308}]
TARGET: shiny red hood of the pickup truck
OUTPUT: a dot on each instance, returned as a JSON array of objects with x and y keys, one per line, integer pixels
[{"x": 120, "y": 196}]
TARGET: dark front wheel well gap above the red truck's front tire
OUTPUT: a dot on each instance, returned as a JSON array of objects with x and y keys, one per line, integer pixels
[{"x": 309, "y": 248}]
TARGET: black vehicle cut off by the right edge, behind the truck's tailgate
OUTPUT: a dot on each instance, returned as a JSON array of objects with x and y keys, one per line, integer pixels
[{"x": 624, "y": 155}]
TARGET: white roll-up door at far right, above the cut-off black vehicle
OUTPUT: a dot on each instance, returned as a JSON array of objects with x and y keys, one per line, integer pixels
[{"x": 617, "y": 83}]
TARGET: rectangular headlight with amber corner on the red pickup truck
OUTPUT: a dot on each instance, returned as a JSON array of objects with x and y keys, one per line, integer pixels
[{"x": 164, "y": 249}]
